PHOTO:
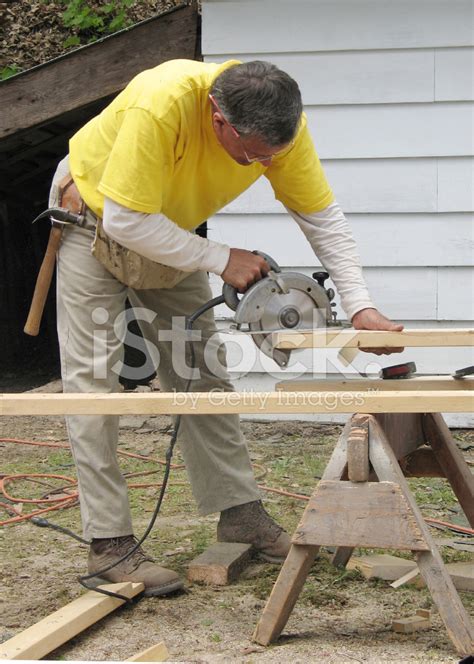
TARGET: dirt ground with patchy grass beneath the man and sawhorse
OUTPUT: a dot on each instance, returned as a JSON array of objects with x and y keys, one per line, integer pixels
[{"x": 339, "y": 617}]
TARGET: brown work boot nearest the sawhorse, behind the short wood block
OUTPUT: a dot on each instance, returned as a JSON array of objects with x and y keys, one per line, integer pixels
[{"x": 251, "y": 524}]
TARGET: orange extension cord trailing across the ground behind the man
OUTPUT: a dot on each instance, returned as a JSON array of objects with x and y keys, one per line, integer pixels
[{"x": 71, "y": 498}]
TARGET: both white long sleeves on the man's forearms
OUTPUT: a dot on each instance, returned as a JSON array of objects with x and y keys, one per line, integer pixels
[{"x": 158, "y": 238}]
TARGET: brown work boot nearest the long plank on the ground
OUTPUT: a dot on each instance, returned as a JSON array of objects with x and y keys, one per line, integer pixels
[{"x": 139, "y": 568}]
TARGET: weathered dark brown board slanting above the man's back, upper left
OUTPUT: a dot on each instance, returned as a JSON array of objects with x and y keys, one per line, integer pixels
[{"x": 95, "y": 71}]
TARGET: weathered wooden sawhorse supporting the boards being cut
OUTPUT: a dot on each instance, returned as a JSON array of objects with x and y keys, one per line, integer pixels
[{"x": 349, "y": 510}]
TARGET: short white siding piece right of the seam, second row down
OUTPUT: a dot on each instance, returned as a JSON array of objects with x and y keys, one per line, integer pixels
[{"x": 454, "y": 72}]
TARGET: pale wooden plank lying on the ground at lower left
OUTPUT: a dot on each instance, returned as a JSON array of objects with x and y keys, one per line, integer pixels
[{"x": 38, "y": 640}]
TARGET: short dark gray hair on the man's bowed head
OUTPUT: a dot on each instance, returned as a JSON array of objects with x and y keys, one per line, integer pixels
[{"x": 259, "y": 100}]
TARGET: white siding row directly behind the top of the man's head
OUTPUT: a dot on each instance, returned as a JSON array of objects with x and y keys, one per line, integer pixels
[{"x": 375, "y": 77}]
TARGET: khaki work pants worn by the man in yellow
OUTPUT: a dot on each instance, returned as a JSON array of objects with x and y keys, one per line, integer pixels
[{"x": 89, "y": 300}]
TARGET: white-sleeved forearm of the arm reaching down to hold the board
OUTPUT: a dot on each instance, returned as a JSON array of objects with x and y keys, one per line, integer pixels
[{"x": 331, "y": 238}]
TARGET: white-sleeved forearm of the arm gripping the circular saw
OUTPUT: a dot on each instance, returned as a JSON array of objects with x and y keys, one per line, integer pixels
[{"x": 156, "y": 237}]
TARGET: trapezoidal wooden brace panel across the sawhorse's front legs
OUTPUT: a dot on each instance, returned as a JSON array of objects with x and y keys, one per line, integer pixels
[{"x": 368, "y": 514}]
